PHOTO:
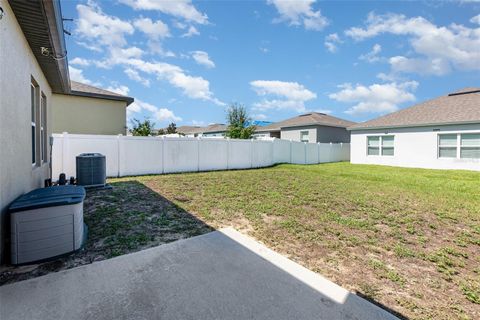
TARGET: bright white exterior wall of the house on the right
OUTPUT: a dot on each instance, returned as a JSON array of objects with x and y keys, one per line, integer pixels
[{"x": 414, "y": 147}]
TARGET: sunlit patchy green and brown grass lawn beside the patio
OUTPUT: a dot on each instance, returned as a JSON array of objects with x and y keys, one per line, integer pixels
[{"x": 406, "y": 238}]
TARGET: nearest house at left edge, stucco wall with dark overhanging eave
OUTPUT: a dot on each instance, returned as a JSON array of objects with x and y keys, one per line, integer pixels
[{"x": 34, "y": 72}]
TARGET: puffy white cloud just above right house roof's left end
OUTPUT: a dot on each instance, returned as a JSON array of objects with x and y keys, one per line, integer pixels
[{"x": 376, "y": 98}]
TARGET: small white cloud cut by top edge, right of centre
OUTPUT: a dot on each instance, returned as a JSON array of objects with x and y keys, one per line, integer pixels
[{"x": 298, "y": 13}]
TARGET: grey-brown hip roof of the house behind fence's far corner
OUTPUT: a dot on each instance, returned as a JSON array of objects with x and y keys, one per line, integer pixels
[{"x": 308, "y": 119}]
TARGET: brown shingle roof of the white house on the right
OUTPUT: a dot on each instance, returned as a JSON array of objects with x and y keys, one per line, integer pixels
[{"x": 462, "y": 106}]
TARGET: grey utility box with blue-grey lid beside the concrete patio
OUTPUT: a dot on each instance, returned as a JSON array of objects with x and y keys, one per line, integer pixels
[{"x": 46, "y": 223}]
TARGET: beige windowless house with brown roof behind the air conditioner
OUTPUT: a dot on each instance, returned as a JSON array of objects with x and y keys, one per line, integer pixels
[{"x": 89, "y": 110}]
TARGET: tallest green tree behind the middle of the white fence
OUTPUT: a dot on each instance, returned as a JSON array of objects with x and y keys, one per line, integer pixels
[{"x": 239, "y": 123}]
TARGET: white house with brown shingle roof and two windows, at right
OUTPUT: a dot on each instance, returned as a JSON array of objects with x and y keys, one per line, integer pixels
[{"x": 442, "y": 133}]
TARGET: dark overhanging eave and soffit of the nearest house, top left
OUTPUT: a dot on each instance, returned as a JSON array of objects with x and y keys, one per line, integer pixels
[{"x": 42, "y": 25}]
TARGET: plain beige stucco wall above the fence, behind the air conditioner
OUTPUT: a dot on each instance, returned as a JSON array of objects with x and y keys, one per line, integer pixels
[{"x": 85, "y": 115}]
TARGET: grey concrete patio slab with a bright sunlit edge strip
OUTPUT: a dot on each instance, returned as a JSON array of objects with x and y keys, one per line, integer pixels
[{"x": 220, "y": 275}]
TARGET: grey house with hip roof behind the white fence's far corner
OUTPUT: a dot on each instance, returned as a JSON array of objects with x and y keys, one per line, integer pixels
[{"x": 311, "y": 127}]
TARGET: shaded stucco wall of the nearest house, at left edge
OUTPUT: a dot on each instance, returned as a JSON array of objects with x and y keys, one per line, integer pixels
[{"x": 17, "y": 66}]
